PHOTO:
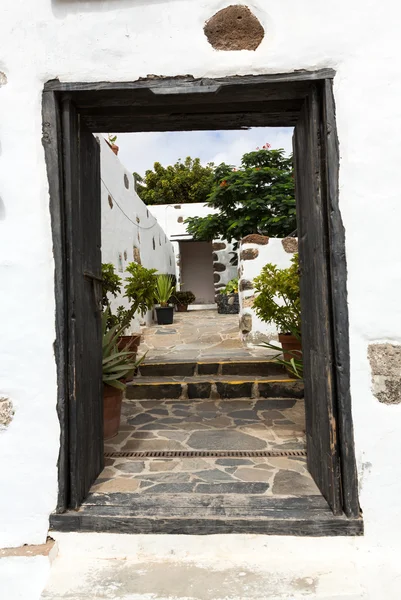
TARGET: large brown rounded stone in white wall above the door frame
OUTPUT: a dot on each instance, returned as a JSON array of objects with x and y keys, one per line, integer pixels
[{"x": 234, "y": 28}]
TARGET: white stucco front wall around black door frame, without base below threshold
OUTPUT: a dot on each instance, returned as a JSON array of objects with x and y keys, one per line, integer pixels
[{"x": 121, "y": 40}]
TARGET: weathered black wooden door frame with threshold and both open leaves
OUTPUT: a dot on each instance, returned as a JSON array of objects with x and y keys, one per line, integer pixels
[{"x": 304, "y": 100}]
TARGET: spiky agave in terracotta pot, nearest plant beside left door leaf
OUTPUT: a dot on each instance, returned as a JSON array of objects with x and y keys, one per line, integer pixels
[{"x": 117, "y": 366}]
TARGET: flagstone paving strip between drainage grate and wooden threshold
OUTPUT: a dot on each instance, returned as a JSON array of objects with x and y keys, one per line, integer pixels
[{"x": 267, "y": 476}]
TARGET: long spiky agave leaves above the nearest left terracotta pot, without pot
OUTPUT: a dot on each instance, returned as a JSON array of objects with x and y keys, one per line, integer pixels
[{"x": 117, "y": 364}]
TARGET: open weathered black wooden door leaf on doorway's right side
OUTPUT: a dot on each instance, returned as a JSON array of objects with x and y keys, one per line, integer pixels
[{"x": 315, "y": 286}]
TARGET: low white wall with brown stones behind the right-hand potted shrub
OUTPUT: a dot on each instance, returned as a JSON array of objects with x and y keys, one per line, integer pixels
[{"x": 254, "y": 252}]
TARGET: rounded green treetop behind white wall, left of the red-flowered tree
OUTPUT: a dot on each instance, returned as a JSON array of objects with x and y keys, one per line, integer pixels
[{"x": 182, "y": 182}]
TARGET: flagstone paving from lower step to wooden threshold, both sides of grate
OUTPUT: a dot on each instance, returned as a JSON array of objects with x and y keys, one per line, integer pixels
[{"x": 212, "y": 425}]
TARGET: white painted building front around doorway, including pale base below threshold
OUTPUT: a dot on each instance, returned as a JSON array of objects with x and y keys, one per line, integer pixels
[{"x": 121, "y": 40}]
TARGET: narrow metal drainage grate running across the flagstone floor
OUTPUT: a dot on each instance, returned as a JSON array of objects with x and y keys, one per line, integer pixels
[{"x": 205, "y": 454}]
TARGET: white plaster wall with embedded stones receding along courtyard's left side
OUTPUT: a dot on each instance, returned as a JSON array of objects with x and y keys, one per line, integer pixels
[{"x": 129, "y": 224}]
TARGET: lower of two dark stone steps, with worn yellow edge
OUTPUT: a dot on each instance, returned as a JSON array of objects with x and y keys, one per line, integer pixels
[{"x": 217, "y": 386}]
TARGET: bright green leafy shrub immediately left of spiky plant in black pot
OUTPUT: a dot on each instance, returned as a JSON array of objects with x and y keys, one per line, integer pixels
[{"x": 140, "y": 287}]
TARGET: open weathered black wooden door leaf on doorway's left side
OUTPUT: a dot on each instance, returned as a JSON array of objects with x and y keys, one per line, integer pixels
[{"x": 85, "y": 395}]
